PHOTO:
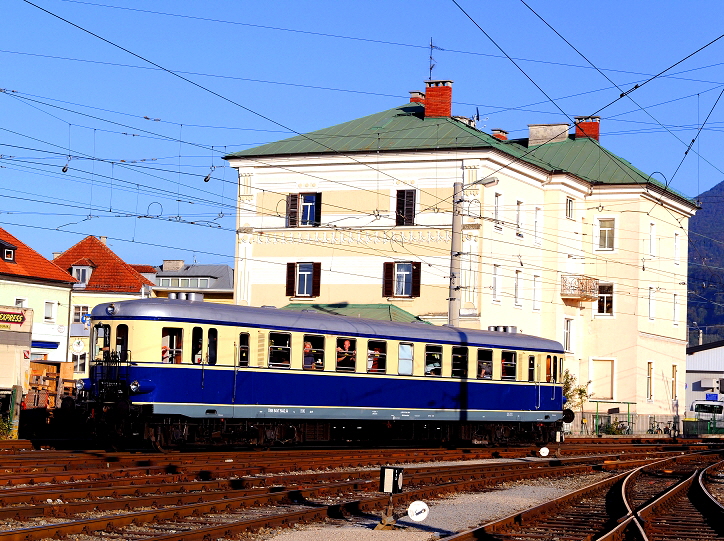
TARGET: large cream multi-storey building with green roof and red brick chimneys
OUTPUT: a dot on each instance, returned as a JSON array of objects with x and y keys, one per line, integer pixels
[{"x": 560, "y": 238}]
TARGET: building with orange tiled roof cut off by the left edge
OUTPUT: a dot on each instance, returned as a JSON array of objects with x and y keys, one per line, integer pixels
[{"x": 29, "y": 281}]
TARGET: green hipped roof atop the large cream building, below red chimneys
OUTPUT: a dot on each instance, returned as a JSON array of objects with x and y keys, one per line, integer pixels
[{"x": 405, "y": 128}]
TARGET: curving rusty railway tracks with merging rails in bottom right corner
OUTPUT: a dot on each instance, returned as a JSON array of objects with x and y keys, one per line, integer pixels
[{"x": 671, "y": 499}]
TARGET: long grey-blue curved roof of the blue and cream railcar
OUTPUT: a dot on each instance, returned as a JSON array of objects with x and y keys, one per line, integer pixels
[{"x": 312, "y": 322}]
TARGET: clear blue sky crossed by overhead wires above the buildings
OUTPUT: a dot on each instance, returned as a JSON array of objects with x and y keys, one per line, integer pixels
[{"x": 141, "y": 140}]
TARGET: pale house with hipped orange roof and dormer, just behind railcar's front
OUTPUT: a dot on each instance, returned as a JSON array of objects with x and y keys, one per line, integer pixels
[{"x": 101, "y": 277}]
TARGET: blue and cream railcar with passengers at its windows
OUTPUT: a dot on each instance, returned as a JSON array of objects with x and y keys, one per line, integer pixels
[{"x": 206, "y": 368}]
